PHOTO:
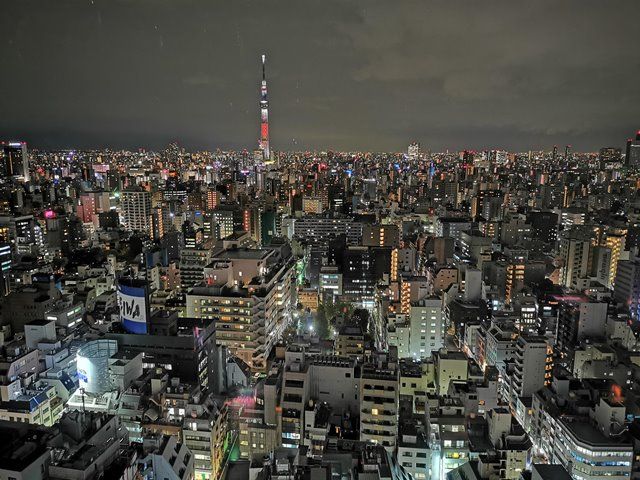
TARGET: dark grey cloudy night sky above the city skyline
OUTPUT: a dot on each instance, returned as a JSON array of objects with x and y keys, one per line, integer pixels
[{"x": 343, "y": 74}]
